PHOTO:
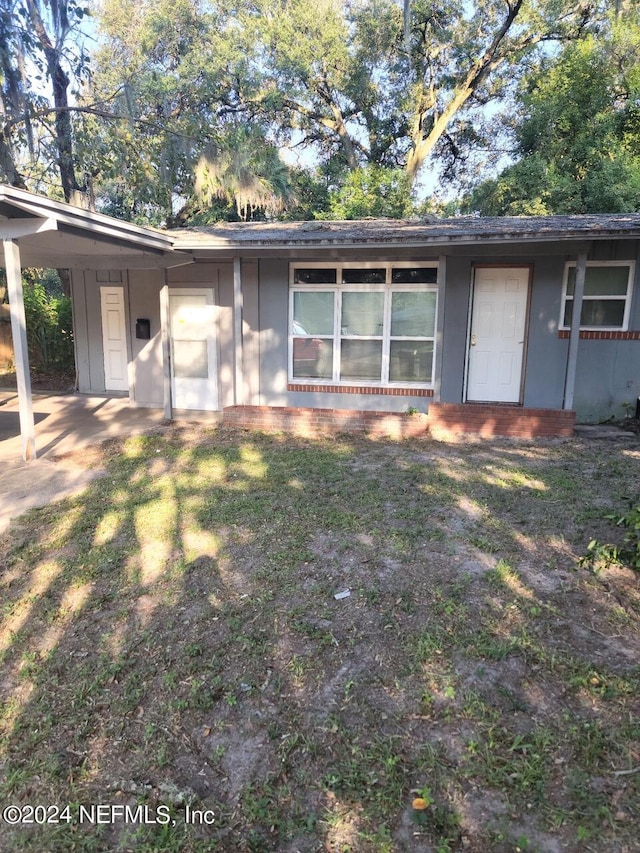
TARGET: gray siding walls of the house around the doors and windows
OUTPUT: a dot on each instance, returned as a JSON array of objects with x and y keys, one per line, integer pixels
[{"x": 608, "y": 374}]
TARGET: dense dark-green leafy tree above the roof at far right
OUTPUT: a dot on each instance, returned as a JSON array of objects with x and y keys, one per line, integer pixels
[{"x": 578, "y": 135}]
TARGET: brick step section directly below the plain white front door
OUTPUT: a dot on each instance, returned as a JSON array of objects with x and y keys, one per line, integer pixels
[{"x": 451, "y": 419}]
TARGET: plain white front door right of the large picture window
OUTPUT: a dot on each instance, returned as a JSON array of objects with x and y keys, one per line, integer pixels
[{"x": 498, "y": 326}]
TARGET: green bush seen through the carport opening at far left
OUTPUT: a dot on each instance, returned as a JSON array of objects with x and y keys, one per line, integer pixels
[{"x": 49, "y": 327}]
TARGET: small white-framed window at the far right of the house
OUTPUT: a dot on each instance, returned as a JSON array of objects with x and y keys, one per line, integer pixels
[{"x": 607, "y": 295}]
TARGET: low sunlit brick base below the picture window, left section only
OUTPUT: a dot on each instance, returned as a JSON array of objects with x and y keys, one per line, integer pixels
[{"x": 309, "y": 423}]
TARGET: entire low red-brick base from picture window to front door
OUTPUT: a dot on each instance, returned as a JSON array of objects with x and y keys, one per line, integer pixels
[{"x": 444, "y": 421}]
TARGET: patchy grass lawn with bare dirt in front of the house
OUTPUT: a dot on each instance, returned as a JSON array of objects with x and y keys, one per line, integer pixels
[{"x": 171, "y": 642}]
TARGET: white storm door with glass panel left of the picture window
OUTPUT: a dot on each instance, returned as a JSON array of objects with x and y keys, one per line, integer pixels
[{"x": 194, "y": 380}]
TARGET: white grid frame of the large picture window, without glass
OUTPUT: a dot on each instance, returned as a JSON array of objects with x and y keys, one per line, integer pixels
[{"x": 388, "y": 288}]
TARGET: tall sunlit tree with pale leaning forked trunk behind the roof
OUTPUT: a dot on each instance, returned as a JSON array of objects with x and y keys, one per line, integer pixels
[{"x": 351, "y": 80}]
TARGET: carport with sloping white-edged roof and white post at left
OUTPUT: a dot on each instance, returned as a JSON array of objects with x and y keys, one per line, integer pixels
[{"x": 39, "y": 232}]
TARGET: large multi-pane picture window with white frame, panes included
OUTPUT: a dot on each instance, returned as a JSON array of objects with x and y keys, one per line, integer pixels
[{"x": 363, "y": 324}]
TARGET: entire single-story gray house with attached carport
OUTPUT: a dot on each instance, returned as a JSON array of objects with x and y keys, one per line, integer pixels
[{"x": 518, "y": 323}]
